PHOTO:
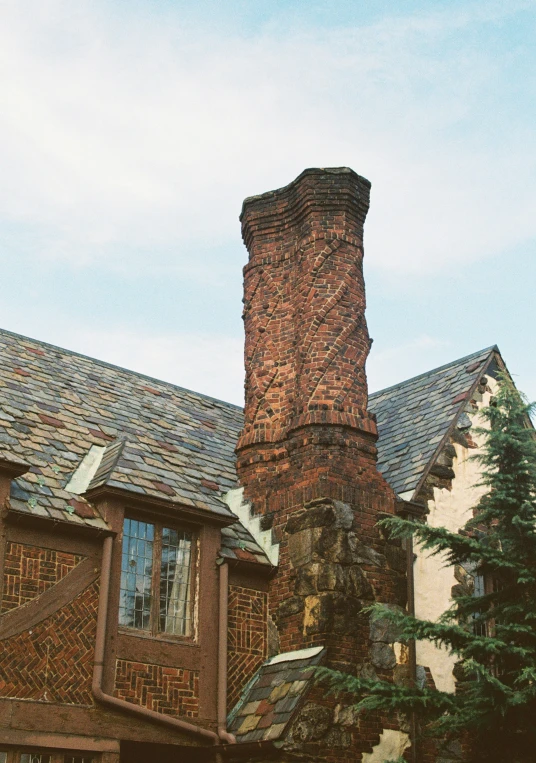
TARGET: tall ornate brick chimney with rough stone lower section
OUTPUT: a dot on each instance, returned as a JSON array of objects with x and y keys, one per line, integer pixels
[{"x": 306, "y": 456}]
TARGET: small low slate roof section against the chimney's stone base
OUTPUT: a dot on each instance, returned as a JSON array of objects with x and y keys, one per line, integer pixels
[{"x": 273, "y": 696}]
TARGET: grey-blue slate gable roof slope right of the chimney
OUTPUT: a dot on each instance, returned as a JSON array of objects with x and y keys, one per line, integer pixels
[{"x": 414, "y": 416}]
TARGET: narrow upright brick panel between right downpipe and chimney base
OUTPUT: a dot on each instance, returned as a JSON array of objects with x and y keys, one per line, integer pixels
[{"x": 247, "y": 637}]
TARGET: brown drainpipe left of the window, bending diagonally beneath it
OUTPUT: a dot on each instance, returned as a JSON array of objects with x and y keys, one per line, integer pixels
[{"x": 98, "y": 666}]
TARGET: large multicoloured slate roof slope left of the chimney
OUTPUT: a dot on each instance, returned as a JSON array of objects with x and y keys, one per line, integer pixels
[{"x": 162, "y": 441}]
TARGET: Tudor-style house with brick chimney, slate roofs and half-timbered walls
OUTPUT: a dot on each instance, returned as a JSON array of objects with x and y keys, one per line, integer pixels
[{"x": 173, "y": 568}]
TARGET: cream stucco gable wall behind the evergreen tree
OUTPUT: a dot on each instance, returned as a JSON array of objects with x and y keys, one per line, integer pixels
[{"x": 451, "y": 509}]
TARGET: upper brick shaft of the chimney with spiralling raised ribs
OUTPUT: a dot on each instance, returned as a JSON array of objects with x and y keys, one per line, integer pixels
[{"x": 304, "y": 308}]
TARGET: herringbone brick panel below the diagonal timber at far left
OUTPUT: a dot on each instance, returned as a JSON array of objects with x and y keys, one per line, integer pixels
[{"x": 54, "y": 661}]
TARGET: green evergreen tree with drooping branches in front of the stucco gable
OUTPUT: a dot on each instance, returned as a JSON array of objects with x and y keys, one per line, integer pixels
[{"x": 492, "y": 635}]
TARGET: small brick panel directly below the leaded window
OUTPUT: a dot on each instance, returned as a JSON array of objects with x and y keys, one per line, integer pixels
[{"x": 173, "y": 691}]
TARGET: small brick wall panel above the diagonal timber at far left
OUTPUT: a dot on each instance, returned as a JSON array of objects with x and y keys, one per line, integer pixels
[{"x": 29, "y": 571}]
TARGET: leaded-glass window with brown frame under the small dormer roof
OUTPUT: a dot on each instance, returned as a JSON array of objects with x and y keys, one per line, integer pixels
[{"x": 156, "y": 572}]
